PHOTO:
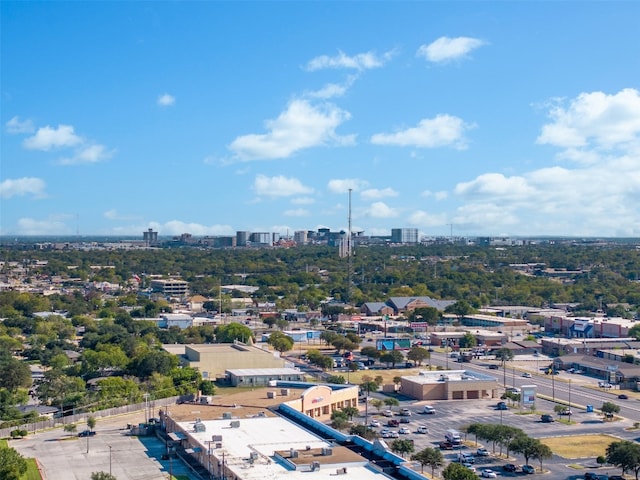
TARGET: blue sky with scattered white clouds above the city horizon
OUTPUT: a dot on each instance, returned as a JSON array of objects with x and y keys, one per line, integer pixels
[{"x": 471, "y": 118}]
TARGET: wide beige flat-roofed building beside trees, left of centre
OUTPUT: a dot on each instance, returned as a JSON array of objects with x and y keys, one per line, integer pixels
[{"x": 214, "y": 359}]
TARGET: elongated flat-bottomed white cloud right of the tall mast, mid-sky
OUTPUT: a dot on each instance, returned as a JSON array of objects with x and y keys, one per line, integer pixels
[{"x": 441, "y": 131}]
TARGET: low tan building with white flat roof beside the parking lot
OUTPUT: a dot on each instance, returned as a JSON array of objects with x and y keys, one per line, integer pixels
[{"x": 449, "y": 385}]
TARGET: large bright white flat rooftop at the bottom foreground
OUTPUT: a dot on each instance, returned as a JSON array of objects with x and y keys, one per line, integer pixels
[{"x": 263, "y": 436}]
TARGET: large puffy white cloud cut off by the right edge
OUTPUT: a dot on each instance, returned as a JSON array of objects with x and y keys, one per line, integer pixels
[{"x": 594, "y": 121}]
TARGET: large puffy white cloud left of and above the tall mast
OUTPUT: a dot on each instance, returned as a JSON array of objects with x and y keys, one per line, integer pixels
[{"x": 302, "y": 125}]
